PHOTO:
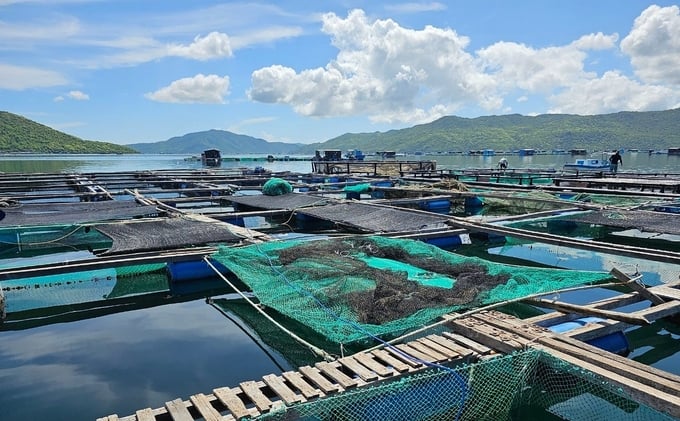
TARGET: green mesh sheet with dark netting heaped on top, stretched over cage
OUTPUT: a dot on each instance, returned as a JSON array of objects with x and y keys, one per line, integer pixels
[{"x": 352, "y": 288}]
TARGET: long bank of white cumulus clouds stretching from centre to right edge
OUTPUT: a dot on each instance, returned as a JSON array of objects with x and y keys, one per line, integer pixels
[{"x": 395, "y": 74}]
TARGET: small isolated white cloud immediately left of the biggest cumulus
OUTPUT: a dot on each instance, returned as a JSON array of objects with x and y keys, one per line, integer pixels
[{"x": 210, "y": 89}]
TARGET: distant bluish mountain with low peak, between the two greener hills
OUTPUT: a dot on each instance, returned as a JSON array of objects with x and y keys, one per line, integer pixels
[{"x": 226, "y": 142}]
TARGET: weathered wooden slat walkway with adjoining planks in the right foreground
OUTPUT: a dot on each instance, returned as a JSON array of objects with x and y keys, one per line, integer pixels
[{"x": 476, "y": 337}]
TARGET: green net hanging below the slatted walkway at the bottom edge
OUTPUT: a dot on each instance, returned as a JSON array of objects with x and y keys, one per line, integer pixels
[{"x": 528, "y": 384}]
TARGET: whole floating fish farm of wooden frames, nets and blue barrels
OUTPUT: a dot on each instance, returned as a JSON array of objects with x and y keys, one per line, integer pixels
[{"x": 392, "y": 290}]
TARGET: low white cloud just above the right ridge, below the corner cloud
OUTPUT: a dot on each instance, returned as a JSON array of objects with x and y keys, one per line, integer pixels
[{"x": 613, "y": 92}]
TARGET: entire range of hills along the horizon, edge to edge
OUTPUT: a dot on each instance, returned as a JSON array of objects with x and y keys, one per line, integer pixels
[{"x": 653, "y": 130}]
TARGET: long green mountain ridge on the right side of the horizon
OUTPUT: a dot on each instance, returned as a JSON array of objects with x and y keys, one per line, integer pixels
[{"x": 640, "y": 130}]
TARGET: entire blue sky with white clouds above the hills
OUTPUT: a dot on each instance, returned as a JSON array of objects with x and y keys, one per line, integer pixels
[{"x": 300, "y": 71}]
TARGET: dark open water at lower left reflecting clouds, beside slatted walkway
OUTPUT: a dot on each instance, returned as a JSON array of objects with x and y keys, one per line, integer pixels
[{"x": 123, "y": 362}]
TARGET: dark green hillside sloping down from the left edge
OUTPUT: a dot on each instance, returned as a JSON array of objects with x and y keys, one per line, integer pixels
[{"x": 19, "y": 134}]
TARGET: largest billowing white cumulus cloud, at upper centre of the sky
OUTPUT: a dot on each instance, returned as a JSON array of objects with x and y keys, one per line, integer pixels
[{"x": 383, "y": 70}]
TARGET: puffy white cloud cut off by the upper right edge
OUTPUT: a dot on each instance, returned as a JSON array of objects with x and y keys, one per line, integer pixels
[{"x": 654, "y": 45}]
